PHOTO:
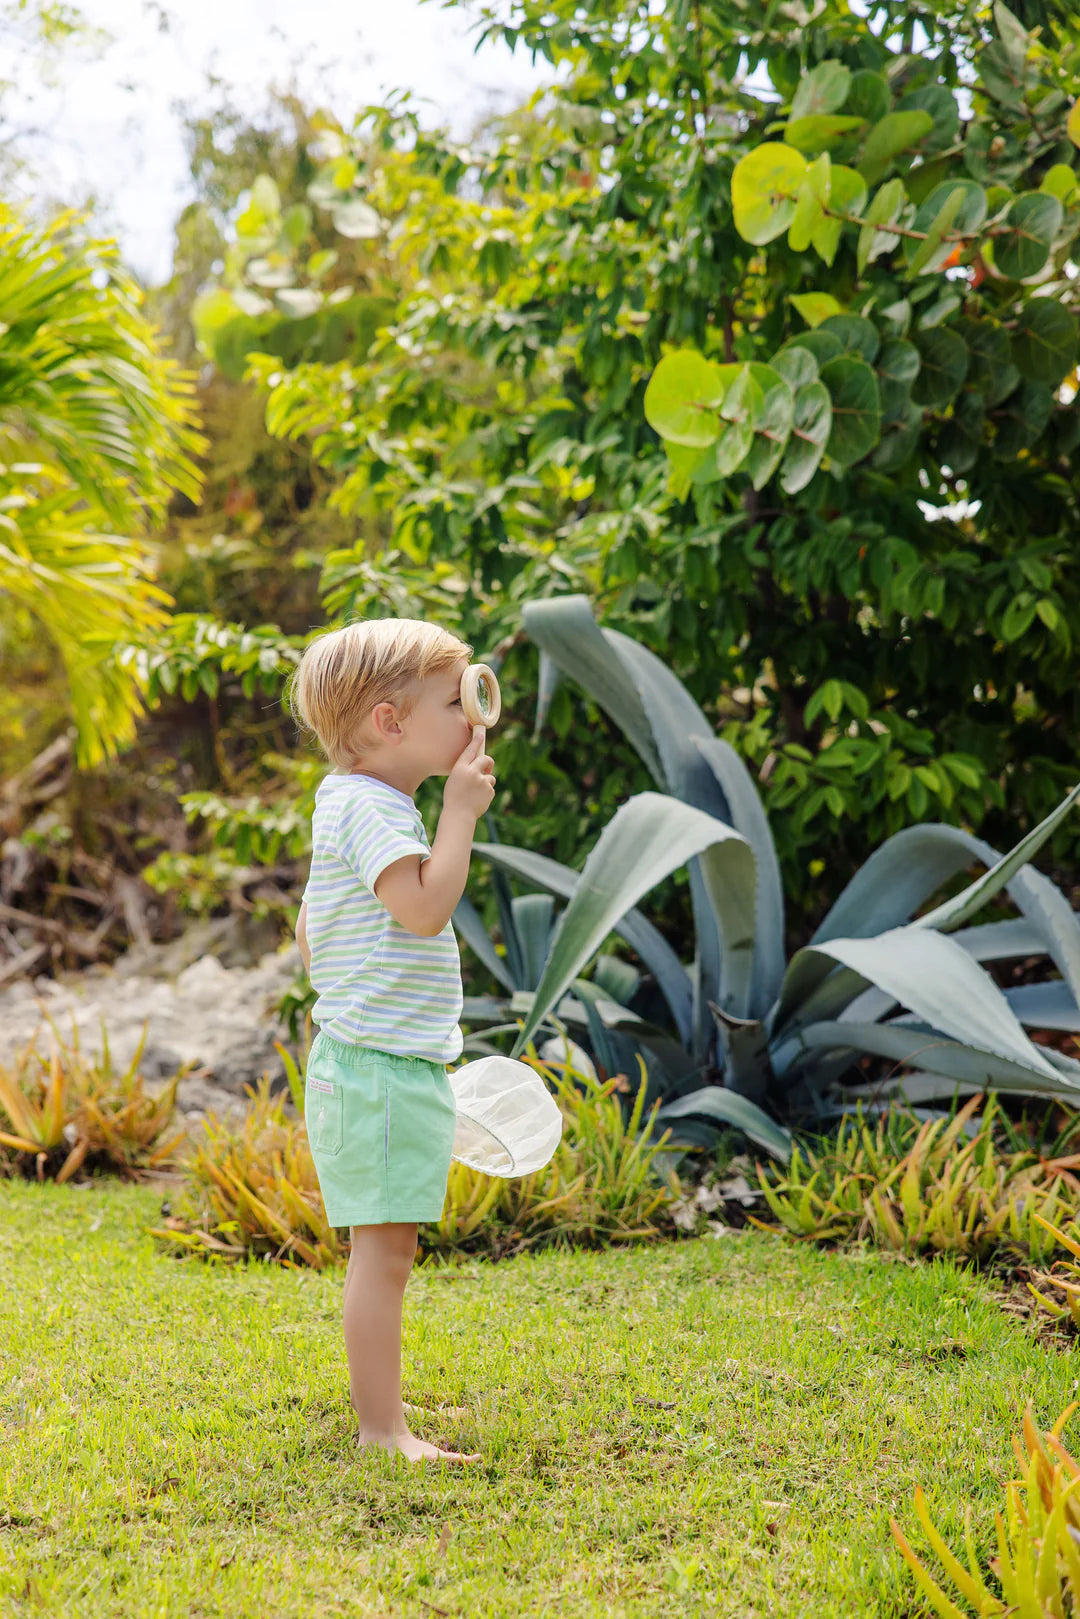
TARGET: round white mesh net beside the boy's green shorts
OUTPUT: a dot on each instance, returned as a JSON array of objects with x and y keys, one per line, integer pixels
[{"x": 509, "y": 1123}]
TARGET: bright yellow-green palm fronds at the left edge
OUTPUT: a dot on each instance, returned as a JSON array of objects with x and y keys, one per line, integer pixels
[{"x": 96, "y": 433}]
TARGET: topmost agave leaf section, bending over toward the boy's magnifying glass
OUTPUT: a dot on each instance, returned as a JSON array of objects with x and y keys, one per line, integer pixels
[{"x": 568, "y": 632}]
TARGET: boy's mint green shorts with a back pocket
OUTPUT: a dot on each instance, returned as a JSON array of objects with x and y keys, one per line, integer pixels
[{"x": 381, "y": 1132}]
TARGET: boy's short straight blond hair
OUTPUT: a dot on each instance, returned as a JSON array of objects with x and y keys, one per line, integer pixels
[{"x": 346, "y": 674}]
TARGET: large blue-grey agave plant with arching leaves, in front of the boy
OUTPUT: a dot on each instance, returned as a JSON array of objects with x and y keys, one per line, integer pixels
[{"x": 770, "y": 1037}]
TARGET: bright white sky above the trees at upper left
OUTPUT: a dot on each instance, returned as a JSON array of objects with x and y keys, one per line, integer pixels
[{"x": 111, "y": 124}]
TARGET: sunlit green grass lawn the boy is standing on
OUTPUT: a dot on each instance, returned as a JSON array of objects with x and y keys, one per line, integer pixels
[{"x": 720, "y": 1427}]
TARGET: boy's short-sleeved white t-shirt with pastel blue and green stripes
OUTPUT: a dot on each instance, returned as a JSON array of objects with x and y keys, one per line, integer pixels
[{"x": 378, "y": 984}]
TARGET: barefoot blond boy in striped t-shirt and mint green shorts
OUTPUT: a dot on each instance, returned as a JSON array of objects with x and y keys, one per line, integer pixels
[{"x": 376, "y": 938}]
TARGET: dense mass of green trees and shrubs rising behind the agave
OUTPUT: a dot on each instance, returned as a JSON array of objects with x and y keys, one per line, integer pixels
[{"x": 848, "y": 385}]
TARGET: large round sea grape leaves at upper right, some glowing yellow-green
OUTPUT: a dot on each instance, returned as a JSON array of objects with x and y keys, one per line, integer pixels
[{"x": 909, "y": 234}]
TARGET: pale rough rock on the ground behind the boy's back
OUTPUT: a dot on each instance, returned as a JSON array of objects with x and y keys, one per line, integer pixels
[{"x": 216, "y": 1018}]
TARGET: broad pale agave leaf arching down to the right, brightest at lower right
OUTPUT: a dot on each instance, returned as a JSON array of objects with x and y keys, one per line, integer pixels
[{"x": 940, "y": 984}]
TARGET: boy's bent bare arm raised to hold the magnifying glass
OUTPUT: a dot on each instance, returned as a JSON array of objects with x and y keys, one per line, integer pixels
[{"x": 422, "y": 894}]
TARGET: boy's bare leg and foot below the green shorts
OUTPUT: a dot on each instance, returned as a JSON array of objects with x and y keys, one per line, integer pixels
[{"x": 380, "y": 1267}]
